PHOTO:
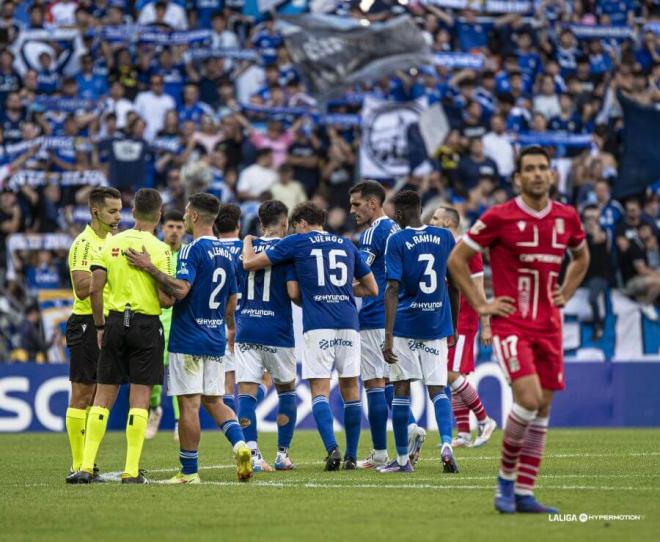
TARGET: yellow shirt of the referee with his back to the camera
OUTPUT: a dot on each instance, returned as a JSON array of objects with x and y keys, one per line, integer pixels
[{"x": 127, "y": 284}]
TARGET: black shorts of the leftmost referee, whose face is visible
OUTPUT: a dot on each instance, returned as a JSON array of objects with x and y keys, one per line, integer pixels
[{"x": 84, "y": 350}]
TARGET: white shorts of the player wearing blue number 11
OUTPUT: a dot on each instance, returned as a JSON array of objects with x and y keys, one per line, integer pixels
[{"x": 252, "y": 359}]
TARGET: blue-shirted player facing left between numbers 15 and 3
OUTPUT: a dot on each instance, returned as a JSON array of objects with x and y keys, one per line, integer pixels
[{"x": 367, "y": 200}]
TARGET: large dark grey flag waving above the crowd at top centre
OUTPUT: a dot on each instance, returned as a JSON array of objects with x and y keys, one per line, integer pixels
[{"x": 332, "y": 53}]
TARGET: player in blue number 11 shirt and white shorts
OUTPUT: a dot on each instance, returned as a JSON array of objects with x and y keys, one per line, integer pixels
[{"x": 264, "y": 339}]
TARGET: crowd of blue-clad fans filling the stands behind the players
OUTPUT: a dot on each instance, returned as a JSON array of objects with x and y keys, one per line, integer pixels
[{"x": 85, "y": 97}]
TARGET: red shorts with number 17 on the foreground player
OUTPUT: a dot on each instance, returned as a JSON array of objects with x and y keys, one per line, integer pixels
[{"x": 522, "y": 353}]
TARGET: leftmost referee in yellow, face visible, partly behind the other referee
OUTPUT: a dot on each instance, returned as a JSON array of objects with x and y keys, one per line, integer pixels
[{"x": 105, "y": 208}]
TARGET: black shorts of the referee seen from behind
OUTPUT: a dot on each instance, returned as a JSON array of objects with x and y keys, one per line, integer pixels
[{"x": 132, "y": 354}]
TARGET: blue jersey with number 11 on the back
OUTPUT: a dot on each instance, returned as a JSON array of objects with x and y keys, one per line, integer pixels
[{"x": 265, "y": 313}]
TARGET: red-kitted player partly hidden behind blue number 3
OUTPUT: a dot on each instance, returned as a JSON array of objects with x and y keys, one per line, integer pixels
[{"x": 460, "y": 360}]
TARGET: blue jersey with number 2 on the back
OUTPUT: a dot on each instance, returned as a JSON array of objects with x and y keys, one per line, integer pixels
[{"x": 198, "y": 320}]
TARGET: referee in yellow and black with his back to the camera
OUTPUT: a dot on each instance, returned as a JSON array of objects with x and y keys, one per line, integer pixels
[{"x": 131, "y": 339}]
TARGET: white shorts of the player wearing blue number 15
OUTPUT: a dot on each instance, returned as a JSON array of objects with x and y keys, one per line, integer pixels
[{"x": 325, "y": 349}]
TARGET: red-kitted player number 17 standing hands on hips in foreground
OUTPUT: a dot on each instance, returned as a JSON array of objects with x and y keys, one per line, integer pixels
[{"x": 527, "y": 238}]
